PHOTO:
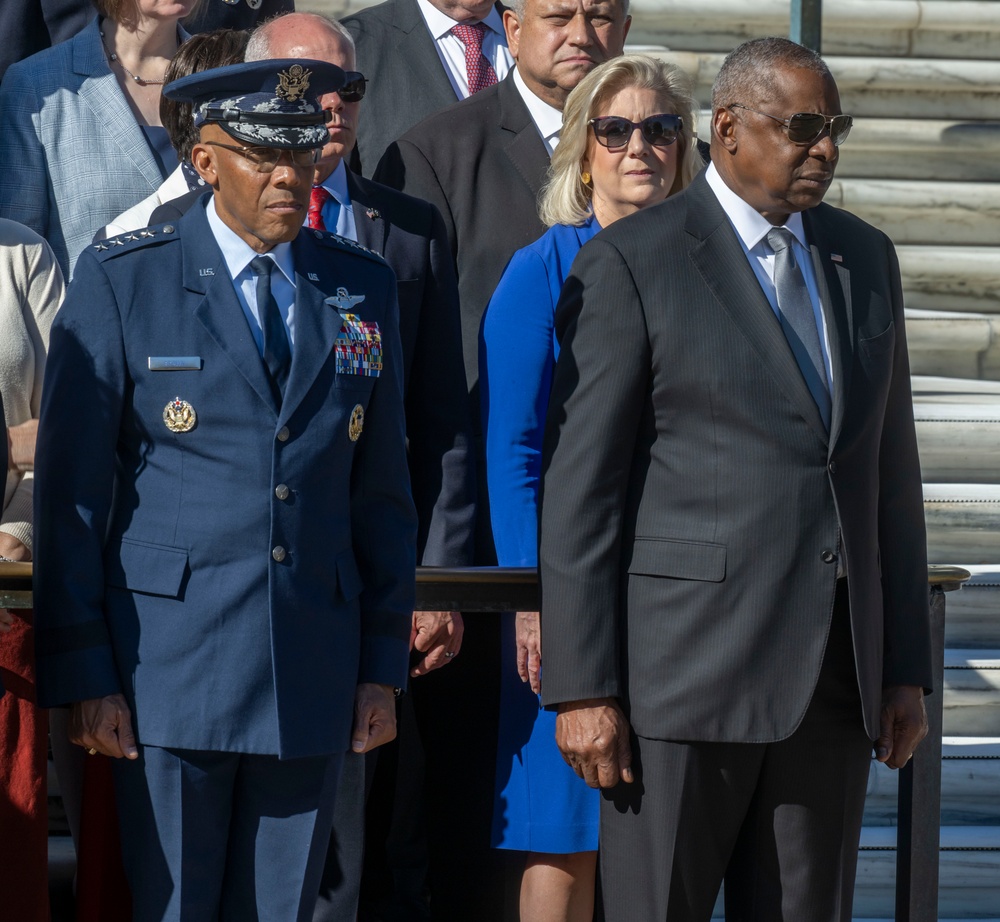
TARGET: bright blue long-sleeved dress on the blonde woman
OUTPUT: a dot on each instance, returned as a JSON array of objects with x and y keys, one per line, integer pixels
[{"x": 540, "y": 803}]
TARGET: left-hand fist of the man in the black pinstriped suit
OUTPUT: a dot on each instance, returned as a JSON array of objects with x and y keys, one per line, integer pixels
[{"x": 593, "y": 737}]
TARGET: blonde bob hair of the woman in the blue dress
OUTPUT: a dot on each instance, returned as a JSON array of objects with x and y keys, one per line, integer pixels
[{"x": 565, "y": 199}]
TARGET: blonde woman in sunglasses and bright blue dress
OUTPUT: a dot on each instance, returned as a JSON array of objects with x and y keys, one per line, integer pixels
[{"x": 627, "y": 143}]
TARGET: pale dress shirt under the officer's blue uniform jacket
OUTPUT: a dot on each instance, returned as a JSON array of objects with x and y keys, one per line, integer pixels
[{"x": 238, "y": 255}]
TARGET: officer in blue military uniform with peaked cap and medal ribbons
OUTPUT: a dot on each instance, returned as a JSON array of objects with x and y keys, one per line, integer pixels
[{"x": 225, "y": 594}]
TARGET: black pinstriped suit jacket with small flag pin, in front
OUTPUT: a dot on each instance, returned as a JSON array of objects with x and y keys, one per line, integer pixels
[{"x": 694, "y": 507}]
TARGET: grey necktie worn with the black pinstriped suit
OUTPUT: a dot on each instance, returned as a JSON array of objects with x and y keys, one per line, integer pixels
[{"x": 797, "y": 319}]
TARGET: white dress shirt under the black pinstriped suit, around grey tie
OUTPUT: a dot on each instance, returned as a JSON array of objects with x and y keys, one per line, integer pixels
[{"x": 751, "y": 230}]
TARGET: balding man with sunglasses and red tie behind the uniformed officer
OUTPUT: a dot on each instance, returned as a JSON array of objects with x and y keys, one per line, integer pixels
[{"x": 410, "y": 235}]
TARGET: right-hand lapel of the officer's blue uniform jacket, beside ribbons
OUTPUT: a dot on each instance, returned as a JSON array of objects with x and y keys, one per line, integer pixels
[{"x": 316, "y": 327}]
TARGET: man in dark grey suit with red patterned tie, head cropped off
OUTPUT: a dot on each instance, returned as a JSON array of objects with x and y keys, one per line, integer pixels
[{"x": 415, "y": 66}]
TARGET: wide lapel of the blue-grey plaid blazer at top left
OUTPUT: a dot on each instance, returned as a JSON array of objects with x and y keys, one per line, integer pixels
[{"x": 111, "y": 110}]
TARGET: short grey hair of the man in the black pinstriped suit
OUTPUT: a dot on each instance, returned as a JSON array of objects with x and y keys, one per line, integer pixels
[{"x": 747, "y": 73}]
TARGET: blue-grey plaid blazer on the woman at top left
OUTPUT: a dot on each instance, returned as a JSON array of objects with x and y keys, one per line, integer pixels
[{"x": 75, "y": 156}]
